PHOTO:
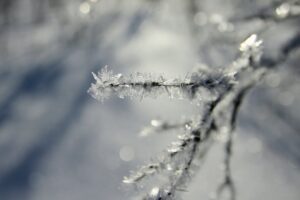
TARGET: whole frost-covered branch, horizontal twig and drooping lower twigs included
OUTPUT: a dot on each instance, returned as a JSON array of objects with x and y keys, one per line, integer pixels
[{"x": 183, "y": 157}]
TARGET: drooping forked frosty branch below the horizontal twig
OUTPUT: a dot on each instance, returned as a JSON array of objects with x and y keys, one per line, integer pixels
[{"x": 197, "y": 142}]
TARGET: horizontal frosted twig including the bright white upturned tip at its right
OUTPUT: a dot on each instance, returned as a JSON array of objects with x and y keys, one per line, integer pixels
[{"x": 199, "y": 85}]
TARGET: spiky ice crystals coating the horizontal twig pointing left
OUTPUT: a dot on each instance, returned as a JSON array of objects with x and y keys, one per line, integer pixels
[{"x": 198, "y": 87}]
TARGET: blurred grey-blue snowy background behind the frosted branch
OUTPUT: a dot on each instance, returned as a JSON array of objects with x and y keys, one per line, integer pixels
[{"x": 56, "y": 142}]
